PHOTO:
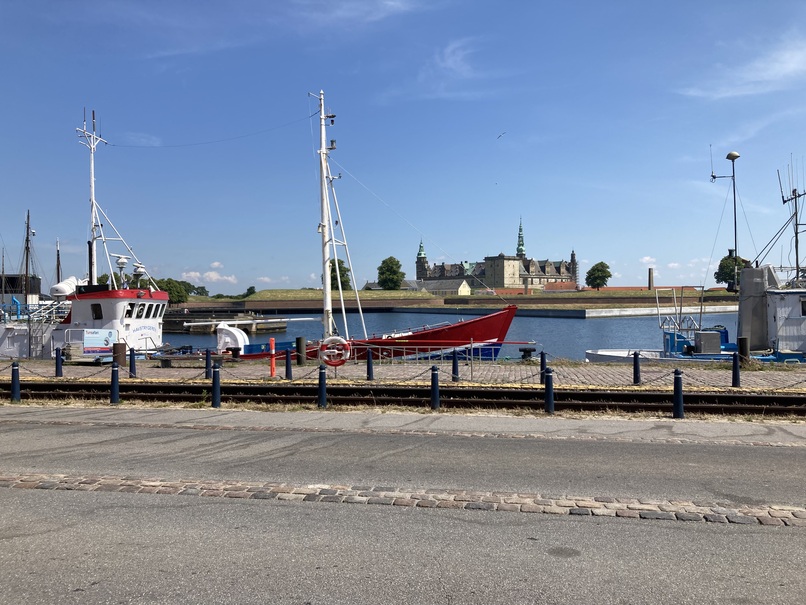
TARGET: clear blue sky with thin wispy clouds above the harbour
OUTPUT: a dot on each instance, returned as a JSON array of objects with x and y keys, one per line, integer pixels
[{"x": 592, "y": 122}]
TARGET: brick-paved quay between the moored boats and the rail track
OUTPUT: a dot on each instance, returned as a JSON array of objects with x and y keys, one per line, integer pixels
[{"x": 567, "y": 374}]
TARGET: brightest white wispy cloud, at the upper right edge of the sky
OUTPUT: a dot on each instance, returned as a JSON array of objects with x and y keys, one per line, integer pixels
[{"x": 777, "y": 69}]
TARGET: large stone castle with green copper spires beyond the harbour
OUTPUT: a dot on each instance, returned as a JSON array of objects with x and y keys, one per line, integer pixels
[{"x": 502, "y": 272}]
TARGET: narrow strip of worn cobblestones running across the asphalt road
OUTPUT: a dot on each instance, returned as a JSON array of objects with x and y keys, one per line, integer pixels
[{"x": 625, "y": 508}]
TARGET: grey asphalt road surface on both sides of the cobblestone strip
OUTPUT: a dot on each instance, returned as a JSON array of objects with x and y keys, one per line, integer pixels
[{"x": 96, "y": 547}]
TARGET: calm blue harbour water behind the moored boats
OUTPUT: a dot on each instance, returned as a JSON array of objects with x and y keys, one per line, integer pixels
[{"x": 566, "y": 338}]
